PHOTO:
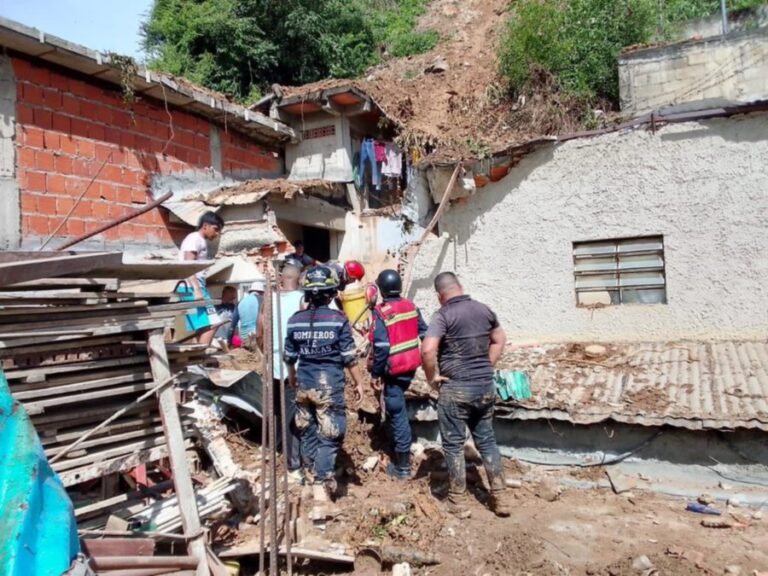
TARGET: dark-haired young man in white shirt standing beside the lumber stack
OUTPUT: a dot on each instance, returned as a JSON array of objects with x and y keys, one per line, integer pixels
[{"x": 195, "y": 247}]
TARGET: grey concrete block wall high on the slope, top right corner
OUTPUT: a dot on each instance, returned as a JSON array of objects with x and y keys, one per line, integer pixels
[{"x": 734, "y": 68}]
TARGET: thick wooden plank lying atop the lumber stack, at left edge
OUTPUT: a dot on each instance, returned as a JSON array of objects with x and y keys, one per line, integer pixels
[{"x": 81, "y": 264}]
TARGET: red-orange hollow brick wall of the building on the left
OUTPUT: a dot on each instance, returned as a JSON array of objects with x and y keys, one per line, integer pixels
[{"x": 74, "y": 134}]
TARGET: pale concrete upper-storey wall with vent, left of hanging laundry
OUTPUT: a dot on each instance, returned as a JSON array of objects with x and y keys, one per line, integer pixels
[{"x": 322, "y": 152}]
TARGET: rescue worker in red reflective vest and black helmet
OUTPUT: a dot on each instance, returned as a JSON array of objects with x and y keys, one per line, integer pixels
[{"x": 396, "y": 329}]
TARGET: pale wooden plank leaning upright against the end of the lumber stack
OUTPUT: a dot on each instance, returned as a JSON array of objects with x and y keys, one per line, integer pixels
[{"x": 158, "y": 360}]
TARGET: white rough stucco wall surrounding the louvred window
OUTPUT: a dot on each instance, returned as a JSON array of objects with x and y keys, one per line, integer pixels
[{"x": 704, "y": 186}]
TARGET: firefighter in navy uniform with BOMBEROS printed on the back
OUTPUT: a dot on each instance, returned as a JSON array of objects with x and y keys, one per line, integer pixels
[{"x": 319, "y": 340}]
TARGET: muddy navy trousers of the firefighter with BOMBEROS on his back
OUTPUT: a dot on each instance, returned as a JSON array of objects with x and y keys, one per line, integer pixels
[{"x": 322, "y": 422}]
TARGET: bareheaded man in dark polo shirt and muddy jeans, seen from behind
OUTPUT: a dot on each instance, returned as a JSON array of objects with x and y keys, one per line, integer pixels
[{"x": 462, "y": 344}]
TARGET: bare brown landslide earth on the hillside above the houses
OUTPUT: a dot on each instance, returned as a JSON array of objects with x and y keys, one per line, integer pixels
[{"x": 453, "y": 98}]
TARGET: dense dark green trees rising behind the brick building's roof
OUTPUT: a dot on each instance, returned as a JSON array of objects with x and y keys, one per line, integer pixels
[{"x": 240, "y": 47}]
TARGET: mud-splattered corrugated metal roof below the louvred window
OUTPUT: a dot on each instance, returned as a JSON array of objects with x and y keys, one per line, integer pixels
[{"x": 693, "y": 385}]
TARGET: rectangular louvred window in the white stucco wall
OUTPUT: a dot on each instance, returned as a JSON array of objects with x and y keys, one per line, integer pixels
[{"x": 622, "y": 271}]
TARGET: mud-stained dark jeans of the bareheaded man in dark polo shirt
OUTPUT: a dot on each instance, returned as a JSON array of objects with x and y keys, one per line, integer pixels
[{"x": 468, "y": 405}]
